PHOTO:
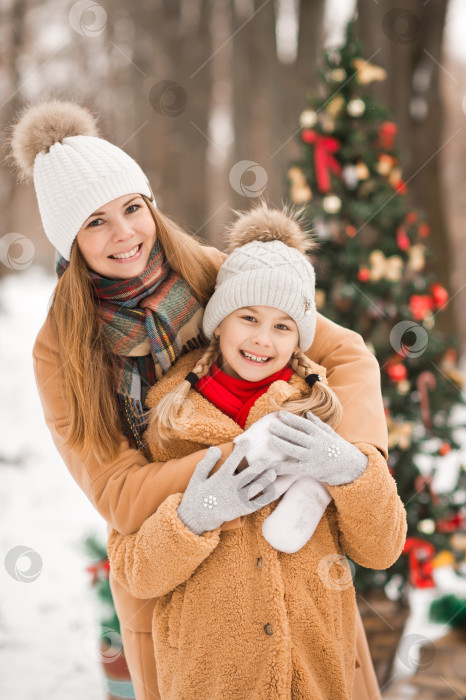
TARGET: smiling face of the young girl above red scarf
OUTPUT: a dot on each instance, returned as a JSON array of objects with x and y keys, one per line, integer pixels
[{"x": 266, "y": 333}]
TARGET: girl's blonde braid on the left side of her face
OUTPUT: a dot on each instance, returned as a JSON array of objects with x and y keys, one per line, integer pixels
[{"x": 163, "y": 416}]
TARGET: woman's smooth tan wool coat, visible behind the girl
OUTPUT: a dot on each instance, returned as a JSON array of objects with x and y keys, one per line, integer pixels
[{"x": 129, "y": 488}]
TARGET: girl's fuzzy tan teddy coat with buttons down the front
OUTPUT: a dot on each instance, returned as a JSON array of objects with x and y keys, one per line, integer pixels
[{"x": 236, "y": 619}]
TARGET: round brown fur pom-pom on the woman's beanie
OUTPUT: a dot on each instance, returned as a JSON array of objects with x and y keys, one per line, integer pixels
[{"x": 40, "y": 126}]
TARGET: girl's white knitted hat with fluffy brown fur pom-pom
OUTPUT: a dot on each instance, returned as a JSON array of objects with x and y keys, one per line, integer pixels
[{"x": 270, "y": 269}]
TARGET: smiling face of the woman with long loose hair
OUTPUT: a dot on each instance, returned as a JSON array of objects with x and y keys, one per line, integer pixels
[{"x": 116, "y": 241}]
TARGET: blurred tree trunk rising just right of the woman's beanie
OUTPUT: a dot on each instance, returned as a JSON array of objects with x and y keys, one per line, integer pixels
[{"x": 171, "y": 84}]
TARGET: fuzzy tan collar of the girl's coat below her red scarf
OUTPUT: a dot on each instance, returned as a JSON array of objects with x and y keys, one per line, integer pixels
[{"x": 201, "y": 420}]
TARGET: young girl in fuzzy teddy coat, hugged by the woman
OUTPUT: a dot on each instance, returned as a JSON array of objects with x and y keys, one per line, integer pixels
[{"x": 235, "y": 618}]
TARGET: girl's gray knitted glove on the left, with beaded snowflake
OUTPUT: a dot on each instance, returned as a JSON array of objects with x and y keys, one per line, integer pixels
[{"x": 209, "y": 502}]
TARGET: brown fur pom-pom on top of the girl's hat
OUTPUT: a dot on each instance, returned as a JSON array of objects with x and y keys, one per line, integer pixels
[{"x": 263, "y": 223}]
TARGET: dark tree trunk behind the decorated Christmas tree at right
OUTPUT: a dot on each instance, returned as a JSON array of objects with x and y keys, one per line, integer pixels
[{"x": 406, "y": 38}]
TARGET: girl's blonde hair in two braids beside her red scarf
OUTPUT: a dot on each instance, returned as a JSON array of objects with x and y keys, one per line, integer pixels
[{"x": 322, "y": 401}]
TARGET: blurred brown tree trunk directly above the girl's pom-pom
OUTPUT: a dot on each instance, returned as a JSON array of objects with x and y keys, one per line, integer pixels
[{"x": 268, "y": 96}]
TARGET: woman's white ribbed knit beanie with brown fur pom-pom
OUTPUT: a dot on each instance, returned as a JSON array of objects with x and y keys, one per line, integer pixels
[{"x": 74, "y": 170}]
